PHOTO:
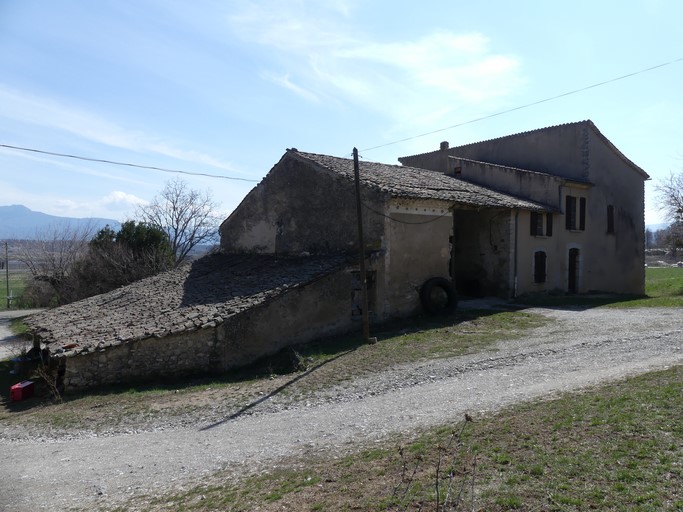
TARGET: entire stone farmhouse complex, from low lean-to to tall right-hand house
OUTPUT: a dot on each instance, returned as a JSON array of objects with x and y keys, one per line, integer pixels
[{"x": 553, "y": 210}]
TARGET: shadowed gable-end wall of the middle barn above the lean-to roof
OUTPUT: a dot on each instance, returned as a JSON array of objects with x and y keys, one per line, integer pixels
[{"x": 299, "y": 208}]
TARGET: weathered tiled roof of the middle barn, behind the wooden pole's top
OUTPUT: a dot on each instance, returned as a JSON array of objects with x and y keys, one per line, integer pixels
[{"x": 412, "y": 183}]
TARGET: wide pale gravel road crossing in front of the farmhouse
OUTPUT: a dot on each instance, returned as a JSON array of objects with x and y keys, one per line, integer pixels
[{"x": 578, "y": 349}]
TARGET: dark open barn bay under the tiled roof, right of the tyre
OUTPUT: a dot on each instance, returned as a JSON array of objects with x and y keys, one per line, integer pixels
[{"x": 482, "y": 252}]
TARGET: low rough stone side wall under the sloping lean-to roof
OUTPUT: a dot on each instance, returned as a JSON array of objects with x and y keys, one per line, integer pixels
[{"x": 319, "y": 308}]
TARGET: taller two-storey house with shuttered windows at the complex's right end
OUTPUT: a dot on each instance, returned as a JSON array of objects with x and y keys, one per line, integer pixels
[{"x": 590, "y": 239}]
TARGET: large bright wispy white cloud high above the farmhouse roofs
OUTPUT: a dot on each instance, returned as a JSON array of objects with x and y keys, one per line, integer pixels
[{"x": 321, "y": 57}]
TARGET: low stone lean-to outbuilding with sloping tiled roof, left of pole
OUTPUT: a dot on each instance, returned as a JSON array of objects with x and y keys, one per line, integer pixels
[{"x": 217, "y": 313}]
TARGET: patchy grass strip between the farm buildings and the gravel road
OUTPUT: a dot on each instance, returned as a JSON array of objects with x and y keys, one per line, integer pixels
[{"x": 330, "y": 362}]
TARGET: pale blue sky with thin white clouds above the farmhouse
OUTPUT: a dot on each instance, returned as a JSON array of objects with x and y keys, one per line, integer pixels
[{"x": 224, "y": 87}]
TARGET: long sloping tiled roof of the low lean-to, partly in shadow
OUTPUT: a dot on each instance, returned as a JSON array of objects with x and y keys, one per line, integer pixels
[{"x": 195, "y": 296}]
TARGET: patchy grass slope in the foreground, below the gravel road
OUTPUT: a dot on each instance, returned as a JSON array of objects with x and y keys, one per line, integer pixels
[{"x": 617, "y": 447}]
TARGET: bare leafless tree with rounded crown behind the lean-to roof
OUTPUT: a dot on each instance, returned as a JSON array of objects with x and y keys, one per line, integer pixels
[{"x": 187, "y": 216}]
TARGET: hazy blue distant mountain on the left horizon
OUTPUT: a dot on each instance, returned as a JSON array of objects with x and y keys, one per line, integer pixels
[{"x": 18, "y": 222}]
